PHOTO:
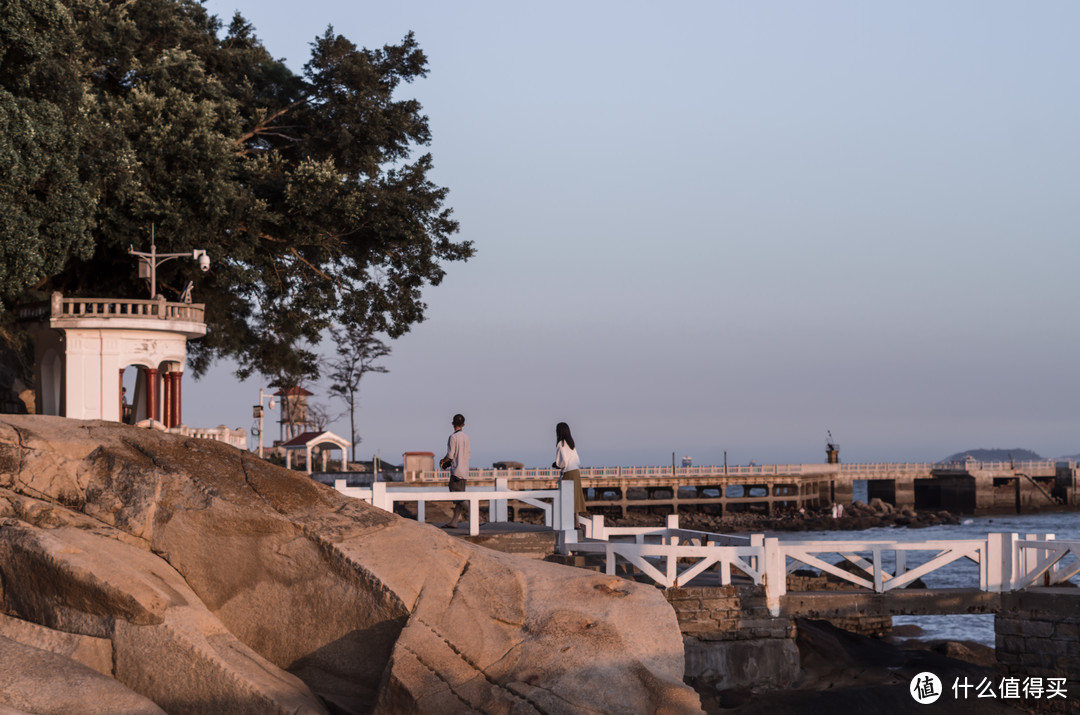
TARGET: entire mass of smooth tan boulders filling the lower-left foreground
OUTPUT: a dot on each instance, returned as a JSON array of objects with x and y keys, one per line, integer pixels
[{"x": 166, "y": 573}]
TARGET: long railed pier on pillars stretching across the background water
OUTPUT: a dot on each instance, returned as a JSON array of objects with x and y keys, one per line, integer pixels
[{"x": 970, "y": 487}]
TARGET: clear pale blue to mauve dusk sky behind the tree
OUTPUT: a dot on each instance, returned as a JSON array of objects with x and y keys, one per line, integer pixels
[{"x": 723, "y": 230}]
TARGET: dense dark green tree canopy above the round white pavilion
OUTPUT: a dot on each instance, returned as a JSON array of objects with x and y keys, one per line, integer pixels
[{"x": 307, "y": 191}]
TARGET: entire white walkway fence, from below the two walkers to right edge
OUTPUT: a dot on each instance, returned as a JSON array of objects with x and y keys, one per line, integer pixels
[{"x": 672, "y": 557}]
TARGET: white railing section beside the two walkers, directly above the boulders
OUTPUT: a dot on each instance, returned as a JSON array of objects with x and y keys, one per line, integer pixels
[{"x": 557, "y": 505}]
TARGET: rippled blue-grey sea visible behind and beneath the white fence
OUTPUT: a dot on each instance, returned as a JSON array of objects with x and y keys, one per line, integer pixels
[{"x": 962, "y": 573}]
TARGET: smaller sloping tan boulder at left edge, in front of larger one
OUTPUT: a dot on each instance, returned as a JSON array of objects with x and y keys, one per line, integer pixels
[{"x": 78, "y": 582}]
